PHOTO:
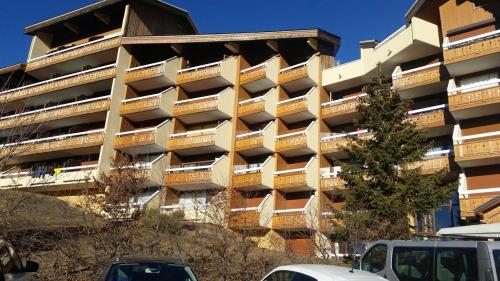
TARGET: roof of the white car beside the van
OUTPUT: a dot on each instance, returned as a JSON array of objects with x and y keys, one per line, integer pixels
[{"x": 330, "y": 272}]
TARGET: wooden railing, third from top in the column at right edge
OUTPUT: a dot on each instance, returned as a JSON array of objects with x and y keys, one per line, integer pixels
[{"x": 478, "y": 149}]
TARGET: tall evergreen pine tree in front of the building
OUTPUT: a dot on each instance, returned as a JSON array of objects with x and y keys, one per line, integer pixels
[{"x": 382, "y": 189}]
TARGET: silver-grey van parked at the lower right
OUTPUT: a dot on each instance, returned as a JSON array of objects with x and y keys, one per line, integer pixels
[{"x": 433, "y": 260}]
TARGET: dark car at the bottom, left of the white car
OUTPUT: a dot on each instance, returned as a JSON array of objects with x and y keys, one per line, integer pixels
[{"x": 147, "y": 269}]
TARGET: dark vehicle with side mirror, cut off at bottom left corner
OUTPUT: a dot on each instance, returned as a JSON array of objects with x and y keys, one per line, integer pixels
[{"x": 11, "y": 265}]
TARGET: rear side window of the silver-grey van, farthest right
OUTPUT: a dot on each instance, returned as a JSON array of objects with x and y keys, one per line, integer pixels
[{"x": 456, "y": 264}]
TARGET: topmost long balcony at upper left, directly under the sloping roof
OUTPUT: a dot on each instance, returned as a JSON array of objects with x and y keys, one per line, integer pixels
[{"x": 96, "y": 52}]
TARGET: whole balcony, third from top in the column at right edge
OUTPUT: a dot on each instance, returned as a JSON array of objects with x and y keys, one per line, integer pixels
[{"x": 477, "y": 150}]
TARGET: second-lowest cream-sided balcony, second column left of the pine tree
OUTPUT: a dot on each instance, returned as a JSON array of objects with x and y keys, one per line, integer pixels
[{"x": 254, "y": 177}]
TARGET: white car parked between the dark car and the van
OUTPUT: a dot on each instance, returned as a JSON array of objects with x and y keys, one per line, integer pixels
[{"x": 319, "y": 272}]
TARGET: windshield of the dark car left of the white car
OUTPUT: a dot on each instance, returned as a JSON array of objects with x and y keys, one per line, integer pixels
[{"x": 150, "y": 271}]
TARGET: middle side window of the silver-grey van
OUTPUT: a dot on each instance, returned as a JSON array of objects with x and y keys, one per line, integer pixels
[{"x": 413, "y": 263}]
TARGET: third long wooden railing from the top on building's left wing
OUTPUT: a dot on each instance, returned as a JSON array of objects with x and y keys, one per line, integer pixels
[{"x": 56, "y": 112}]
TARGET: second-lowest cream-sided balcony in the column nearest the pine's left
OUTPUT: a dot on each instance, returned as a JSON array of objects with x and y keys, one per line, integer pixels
[{"x": 301, "y": 179}]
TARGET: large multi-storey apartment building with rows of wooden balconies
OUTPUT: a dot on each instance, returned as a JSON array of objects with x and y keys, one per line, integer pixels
[{"x": 259, "y": 114}]
